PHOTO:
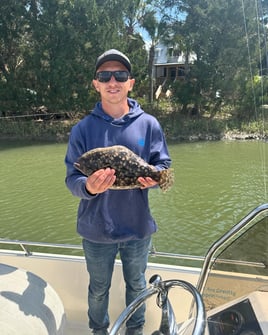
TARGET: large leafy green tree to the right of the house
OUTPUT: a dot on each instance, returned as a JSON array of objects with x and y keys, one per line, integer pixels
[{"x": 215, "y": 31}]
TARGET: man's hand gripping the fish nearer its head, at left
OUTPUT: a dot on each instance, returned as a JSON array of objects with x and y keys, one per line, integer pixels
[{"x": 100, "y": 181}]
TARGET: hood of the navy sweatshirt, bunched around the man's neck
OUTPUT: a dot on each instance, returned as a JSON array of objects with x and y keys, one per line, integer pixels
[{"x": 134, "y": 111}]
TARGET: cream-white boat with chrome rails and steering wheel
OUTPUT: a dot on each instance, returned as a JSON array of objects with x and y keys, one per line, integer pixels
[{"x": 45, "y": 292}]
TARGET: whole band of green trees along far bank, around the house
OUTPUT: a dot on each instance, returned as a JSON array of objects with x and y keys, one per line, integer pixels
[{"x": 48, "y": 49}]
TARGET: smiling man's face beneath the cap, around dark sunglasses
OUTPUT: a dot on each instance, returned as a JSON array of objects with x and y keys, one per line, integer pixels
[{"x": 113, "y": 91}]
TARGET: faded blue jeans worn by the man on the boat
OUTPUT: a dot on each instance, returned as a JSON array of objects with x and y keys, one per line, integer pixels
[{"x": 100, "y": 260}]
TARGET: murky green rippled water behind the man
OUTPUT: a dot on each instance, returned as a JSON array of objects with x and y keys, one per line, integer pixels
[{"x": 216, "y": 184}]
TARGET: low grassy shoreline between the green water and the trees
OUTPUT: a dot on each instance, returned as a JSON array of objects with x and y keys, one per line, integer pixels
[{"x": 175, "y": 128}]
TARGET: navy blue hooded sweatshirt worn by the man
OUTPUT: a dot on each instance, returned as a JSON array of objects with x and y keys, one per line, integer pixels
[{"x": 115, "y": 215}]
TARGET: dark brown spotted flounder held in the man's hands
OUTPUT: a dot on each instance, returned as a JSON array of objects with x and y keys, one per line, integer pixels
[{"x": 127, "y": 165}]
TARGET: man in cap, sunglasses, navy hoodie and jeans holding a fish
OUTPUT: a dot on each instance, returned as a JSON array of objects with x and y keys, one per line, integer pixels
[{"x": 115, "y": 221}]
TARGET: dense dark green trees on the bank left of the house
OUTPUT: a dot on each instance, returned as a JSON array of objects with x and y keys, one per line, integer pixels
[{"x": 49, "y": 47}]
